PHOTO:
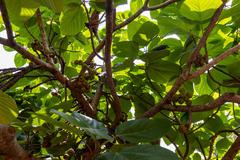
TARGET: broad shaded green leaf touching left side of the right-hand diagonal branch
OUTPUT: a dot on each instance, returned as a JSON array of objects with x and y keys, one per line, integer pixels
[{"x": 163, "y": 71}]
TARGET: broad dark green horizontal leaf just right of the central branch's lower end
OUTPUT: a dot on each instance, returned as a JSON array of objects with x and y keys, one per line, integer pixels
[{"x": 143, "y": 130}]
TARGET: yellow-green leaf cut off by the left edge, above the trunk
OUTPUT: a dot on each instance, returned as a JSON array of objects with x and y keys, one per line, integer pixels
[{"x": 8, "y": 109}]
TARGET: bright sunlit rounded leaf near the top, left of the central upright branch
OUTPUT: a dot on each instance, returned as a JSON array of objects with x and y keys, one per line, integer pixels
[{"x": 72, "y": 20}]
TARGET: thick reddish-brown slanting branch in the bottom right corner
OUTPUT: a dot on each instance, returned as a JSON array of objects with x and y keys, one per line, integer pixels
[{"x": 233, "y": 150}]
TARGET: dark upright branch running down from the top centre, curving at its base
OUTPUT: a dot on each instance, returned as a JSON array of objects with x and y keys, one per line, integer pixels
[{"x": 107, "y": 59}]
